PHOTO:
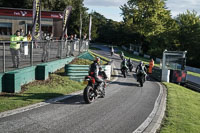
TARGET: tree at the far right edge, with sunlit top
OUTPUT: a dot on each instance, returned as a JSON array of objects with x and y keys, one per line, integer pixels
[{"x": 189, "y": 36}]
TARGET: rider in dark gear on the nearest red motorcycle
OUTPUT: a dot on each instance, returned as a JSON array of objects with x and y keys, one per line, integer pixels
[{"x": 94, "y": 72}]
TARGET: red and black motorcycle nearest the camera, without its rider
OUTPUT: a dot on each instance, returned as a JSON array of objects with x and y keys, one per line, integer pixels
[{"x": 89, "y": 93}]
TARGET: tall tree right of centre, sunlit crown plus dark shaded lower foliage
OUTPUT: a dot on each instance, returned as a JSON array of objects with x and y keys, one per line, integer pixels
[{"x": 150, "y": 20}]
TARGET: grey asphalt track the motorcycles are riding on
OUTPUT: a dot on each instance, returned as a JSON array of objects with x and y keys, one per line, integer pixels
[{"x": 124, "y": 108}]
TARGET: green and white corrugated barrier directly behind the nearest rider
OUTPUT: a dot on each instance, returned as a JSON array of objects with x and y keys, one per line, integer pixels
[{"x": 78, "y": 72}]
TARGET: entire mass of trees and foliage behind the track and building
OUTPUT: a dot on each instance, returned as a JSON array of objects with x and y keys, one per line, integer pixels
[{"x": 147, "y": 23}]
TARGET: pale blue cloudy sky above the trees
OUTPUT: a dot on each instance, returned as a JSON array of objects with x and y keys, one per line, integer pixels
[{"x": 110, "y": 8}]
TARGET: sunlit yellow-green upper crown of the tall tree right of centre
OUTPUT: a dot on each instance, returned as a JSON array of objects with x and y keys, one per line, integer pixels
[{"x": 148, "y": 16}]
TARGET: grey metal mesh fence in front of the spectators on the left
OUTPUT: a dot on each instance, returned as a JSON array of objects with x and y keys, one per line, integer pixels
[{"x": 35, "y": 52}]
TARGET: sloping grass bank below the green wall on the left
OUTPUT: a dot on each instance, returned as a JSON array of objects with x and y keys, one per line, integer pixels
[{"x": 38, "y": 91}]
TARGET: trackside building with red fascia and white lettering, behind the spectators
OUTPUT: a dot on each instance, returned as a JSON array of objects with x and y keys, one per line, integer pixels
[{"x": 12, "y": 19}]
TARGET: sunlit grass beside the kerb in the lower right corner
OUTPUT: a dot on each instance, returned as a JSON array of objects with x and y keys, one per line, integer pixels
[{"x": 183, "y": 110}]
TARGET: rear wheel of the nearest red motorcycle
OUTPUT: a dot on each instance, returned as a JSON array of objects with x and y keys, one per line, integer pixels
[{"x": 88, "y": 94}]
